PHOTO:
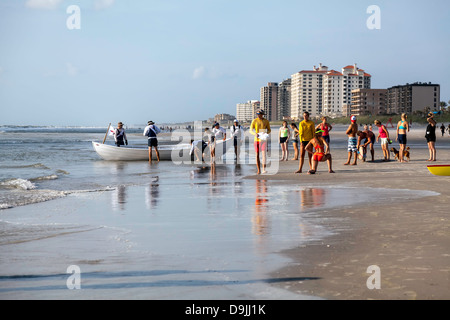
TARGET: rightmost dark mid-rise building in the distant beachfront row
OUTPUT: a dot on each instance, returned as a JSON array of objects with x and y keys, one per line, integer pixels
[{"x": 413, "y": 97}]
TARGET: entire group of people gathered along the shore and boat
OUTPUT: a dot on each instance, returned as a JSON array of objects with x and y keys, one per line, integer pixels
[{"x": 307, "y": 138}]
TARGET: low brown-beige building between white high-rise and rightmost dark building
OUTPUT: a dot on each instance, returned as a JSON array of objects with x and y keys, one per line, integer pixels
[{"x": 368, "y": 102}]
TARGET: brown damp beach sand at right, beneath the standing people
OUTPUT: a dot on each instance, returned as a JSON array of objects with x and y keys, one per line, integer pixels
[{"x": 409, "y": 240}]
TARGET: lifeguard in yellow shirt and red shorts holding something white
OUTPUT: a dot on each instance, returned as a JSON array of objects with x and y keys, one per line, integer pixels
[{"x": 260, "y": 128}]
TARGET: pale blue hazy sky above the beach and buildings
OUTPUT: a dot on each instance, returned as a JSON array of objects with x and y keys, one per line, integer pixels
[{"x": 174, "y": 61}]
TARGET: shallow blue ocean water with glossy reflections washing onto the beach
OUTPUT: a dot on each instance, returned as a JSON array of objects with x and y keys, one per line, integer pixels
[{"x": 157, "y": 231}]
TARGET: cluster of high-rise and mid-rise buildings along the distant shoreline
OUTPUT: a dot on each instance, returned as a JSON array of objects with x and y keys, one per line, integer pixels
[{"x": 332, "y": 93}]
